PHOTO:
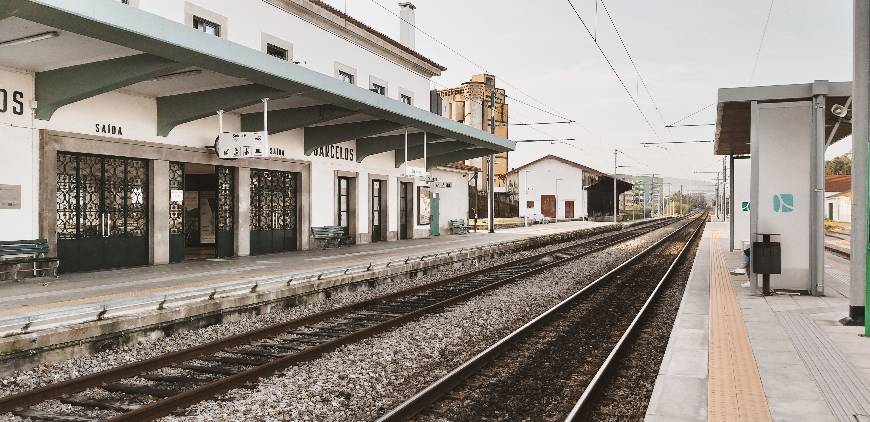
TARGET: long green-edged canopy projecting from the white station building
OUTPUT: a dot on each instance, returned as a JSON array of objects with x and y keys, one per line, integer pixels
[{"x": 88, "y": 48}]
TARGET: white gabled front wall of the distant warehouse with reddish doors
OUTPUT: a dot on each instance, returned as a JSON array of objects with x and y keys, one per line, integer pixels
[{"x": 540, "y": 179}]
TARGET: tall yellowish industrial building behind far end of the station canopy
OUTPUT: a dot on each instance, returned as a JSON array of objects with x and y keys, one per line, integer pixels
[{"x": 471, "y": 104}]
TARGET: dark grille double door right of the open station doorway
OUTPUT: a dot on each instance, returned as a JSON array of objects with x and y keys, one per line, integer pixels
[{"x": 273, "y": 211}]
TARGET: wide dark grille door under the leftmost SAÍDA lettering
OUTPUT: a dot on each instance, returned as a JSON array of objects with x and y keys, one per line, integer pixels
[{"x": 102, "y": 212}]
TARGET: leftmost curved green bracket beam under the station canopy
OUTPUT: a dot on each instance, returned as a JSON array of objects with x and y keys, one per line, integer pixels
[{"x": 60, "y": 87}]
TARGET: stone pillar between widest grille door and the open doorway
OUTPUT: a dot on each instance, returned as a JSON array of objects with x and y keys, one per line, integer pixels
[{"x": 158, "y": 221}]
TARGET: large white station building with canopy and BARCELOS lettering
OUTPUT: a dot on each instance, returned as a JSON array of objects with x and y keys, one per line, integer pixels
[{"x": 110, "y": 111}]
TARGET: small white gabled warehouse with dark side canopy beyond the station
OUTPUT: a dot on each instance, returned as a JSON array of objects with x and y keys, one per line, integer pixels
[{"x": 555, "y": 187}]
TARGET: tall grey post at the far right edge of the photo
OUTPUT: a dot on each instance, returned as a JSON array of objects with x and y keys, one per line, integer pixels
[{"x": 860, "y": 137}]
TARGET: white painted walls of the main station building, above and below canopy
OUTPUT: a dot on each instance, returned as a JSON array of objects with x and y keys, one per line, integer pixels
[{"x": 136, "y": 114}]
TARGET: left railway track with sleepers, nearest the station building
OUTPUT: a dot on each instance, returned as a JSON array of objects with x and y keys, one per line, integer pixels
[{"x": 156, "y": 387}]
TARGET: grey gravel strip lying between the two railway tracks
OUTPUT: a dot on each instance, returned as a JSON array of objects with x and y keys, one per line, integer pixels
[{"x": 365, "y": 379}]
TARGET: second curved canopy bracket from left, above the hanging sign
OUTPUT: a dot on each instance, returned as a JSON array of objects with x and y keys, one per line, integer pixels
[{"x": 174, "y": 110}]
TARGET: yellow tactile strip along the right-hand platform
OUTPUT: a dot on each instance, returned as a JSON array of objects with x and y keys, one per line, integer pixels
[{"x": 734, "y": 392}]
